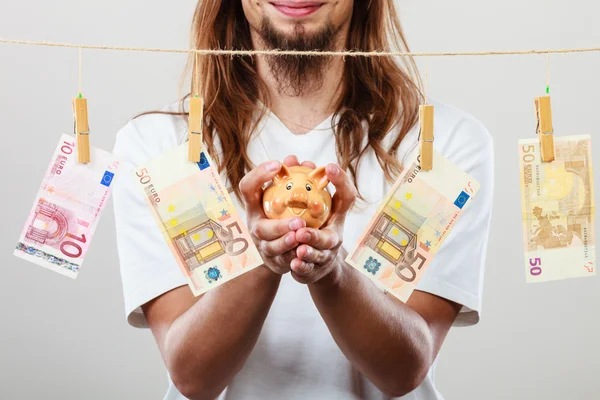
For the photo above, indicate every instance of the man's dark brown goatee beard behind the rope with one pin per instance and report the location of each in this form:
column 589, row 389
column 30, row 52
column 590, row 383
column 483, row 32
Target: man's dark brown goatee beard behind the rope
column 297, row 75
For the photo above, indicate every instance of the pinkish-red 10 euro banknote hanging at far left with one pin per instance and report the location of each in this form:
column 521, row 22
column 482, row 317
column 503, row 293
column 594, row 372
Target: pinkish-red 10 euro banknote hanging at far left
column 65, row 213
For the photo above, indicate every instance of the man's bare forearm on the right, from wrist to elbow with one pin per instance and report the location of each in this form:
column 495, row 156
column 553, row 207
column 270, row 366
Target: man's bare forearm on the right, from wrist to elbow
column 385, row 340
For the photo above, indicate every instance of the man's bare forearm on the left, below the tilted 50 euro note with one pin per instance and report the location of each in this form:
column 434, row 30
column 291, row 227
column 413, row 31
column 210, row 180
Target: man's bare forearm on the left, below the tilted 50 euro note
column 210, row 342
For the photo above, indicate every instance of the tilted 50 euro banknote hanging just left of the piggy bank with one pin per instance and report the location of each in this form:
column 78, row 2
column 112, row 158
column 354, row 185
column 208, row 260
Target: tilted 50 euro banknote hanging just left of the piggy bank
column 197, row 218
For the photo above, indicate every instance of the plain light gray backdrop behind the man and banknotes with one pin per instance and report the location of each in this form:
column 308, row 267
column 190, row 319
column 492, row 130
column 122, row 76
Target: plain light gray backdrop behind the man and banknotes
column 64, row 339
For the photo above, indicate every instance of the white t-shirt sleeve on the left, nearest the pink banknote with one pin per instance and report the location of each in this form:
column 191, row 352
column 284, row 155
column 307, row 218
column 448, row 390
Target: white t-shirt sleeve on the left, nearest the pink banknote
column 148, row 268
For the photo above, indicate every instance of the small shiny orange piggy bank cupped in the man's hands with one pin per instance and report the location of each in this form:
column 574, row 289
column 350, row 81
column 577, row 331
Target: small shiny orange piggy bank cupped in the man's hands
column 299, row 192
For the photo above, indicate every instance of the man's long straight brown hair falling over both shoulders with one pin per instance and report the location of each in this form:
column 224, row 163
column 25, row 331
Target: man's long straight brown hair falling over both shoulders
column 381, row 91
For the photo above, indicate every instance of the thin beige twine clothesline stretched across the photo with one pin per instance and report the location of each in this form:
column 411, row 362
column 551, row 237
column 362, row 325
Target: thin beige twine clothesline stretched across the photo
column 304, row 53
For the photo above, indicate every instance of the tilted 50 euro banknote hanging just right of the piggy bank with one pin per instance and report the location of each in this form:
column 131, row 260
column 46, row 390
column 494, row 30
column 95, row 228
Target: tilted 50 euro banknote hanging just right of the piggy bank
column 411, row 225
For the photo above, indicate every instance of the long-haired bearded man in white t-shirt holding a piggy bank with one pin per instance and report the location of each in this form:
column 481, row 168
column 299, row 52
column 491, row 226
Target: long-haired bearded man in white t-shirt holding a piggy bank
column 304, row 325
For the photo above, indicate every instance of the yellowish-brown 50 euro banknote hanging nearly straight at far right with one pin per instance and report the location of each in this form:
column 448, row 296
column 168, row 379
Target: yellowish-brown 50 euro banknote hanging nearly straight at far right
column 558, row 209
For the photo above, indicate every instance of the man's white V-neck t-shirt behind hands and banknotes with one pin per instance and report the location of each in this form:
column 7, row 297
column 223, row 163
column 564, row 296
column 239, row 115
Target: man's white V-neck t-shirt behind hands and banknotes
column 295, row 356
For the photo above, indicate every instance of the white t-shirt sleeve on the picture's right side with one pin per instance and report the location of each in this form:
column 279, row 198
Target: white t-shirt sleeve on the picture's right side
column 456, row 272
